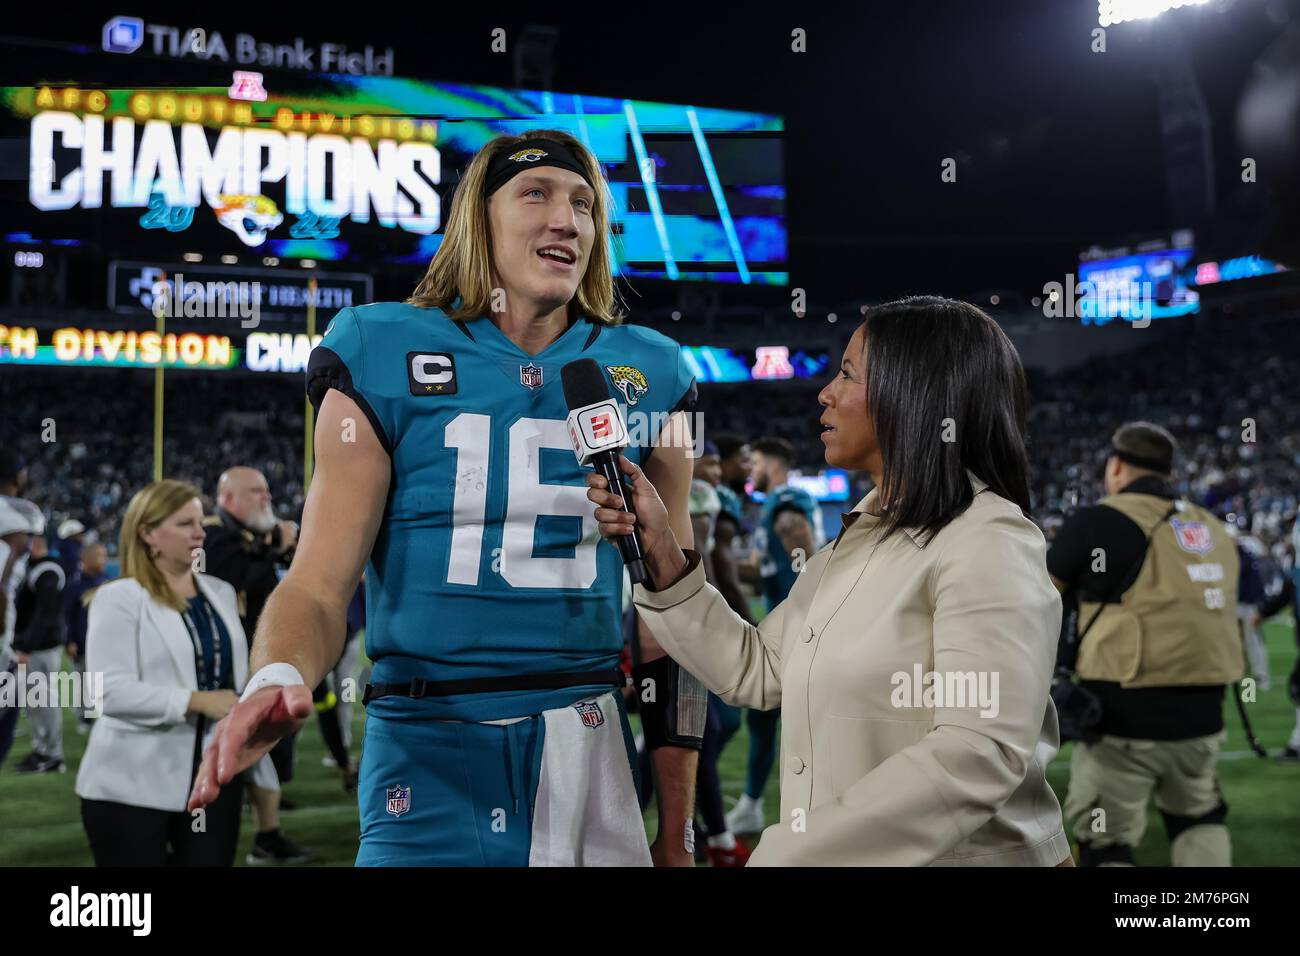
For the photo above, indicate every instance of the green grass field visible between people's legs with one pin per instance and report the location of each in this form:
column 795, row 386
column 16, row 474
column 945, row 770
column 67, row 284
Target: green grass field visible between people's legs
column 41, row 823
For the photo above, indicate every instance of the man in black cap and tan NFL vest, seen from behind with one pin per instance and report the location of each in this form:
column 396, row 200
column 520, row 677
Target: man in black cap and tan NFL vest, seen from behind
column 1156, row 579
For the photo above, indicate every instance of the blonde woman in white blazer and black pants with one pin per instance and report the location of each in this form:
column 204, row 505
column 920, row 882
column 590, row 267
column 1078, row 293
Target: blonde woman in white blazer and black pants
column 175, row 657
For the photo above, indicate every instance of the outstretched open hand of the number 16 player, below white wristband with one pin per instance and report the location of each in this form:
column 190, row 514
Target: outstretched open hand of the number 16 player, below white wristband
column 246, row 736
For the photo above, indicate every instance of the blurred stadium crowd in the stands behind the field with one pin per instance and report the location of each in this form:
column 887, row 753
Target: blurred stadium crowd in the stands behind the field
column 1225, row 393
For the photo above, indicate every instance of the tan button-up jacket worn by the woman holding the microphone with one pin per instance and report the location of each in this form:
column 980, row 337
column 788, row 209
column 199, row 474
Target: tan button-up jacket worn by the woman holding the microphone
column 872, row 773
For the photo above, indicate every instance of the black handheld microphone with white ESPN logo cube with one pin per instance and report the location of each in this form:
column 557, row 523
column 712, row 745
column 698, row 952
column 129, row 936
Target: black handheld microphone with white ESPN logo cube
column 597, row 434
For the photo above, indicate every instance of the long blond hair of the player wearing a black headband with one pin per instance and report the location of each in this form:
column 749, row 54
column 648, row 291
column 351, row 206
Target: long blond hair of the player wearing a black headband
column 462, row 267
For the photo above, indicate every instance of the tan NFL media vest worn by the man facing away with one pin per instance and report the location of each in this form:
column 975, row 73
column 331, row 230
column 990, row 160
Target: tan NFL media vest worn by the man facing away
column 1177, row 625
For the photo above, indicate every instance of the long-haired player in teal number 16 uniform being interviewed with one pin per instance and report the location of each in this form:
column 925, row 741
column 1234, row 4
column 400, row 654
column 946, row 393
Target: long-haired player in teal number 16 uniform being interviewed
column 496, row 726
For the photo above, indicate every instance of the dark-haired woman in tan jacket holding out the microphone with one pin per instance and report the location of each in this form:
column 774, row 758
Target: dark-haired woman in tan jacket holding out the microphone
column 913, row 657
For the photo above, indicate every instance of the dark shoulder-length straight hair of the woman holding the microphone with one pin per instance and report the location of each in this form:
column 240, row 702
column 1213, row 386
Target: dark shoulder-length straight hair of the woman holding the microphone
column 947, row 393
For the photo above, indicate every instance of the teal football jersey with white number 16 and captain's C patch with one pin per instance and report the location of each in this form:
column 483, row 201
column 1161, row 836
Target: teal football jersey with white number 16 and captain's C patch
column 489, row 563
